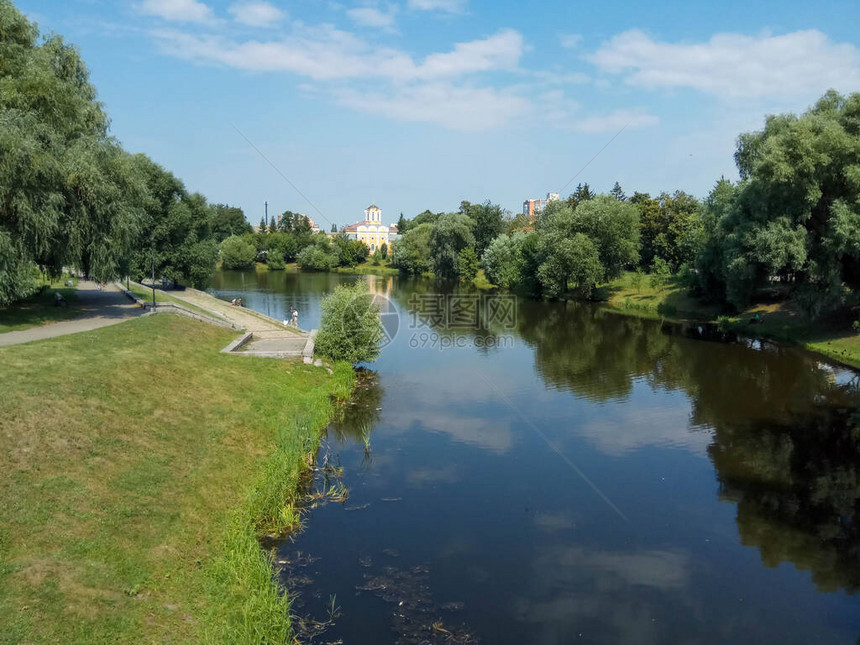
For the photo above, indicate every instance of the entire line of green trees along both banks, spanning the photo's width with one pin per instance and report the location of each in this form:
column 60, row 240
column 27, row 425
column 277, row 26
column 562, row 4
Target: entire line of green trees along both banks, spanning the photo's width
column 71, row 196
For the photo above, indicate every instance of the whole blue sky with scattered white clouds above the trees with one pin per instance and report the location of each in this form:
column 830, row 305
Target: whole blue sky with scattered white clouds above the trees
column 416, row 104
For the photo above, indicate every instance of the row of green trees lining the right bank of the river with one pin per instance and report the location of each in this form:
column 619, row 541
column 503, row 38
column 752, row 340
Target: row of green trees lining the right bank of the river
column 791, row 223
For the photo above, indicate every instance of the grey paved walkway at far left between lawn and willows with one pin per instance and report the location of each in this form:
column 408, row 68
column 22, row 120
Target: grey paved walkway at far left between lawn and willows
column 98, row 309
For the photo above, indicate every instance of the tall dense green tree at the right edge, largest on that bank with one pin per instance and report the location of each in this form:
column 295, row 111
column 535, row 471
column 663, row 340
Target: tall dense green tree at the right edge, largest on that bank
column 795, row 215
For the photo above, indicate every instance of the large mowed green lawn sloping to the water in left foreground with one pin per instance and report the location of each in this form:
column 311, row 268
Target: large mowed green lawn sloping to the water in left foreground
column 132, row 458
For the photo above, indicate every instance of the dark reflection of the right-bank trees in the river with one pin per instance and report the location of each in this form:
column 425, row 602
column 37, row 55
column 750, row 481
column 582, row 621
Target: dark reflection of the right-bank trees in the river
column 786, row 435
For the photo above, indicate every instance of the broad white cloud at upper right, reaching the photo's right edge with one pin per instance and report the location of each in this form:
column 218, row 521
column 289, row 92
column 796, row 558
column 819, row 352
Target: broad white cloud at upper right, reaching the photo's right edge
column 734, row 65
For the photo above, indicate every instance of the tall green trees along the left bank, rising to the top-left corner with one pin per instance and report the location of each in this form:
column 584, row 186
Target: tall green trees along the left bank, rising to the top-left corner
column 70, row 196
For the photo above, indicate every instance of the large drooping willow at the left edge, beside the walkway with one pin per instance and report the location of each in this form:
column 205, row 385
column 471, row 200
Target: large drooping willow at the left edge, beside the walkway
column 69, row 195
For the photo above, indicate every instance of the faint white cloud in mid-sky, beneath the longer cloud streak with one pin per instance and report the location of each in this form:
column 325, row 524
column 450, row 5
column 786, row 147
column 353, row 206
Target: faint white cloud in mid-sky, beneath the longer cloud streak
column 457, row 108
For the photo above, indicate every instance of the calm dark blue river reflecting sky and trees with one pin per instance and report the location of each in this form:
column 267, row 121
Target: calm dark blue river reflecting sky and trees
column 534, row 472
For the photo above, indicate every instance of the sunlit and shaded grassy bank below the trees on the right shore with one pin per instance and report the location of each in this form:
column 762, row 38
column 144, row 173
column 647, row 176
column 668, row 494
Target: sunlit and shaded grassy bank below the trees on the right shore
column 832, row 336
